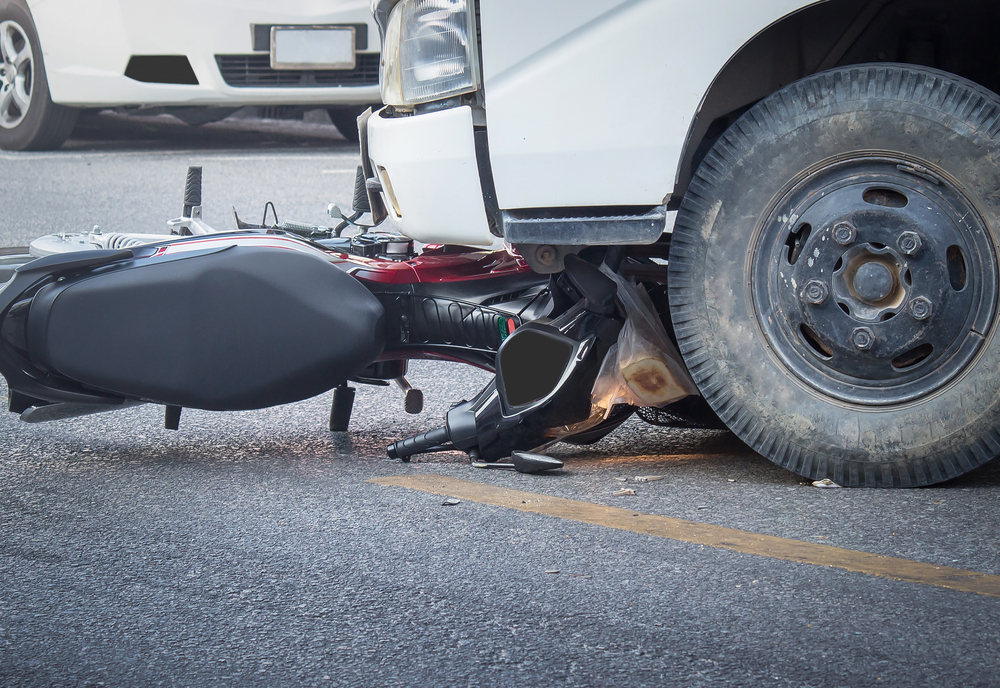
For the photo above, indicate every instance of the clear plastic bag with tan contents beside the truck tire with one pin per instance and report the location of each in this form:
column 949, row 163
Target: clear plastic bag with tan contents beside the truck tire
column 643, row 368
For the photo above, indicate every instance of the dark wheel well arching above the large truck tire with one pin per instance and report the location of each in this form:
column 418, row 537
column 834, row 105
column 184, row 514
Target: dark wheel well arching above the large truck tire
column 951, row 35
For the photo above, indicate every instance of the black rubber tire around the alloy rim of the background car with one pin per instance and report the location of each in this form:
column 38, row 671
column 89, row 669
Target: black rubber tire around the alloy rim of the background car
column 45, row 126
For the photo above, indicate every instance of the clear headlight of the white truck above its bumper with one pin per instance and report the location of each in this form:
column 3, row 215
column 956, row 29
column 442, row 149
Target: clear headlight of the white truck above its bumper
column 430, row 51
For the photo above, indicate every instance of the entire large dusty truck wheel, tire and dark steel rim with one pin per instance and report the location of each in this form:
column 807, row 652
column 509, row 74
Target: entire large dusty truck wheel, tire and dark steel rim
column 833, row 276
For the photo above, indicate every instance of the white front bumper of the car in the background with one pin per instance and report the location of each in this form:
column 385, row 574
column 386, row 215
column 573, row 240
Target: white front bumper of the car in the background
column 87, row 47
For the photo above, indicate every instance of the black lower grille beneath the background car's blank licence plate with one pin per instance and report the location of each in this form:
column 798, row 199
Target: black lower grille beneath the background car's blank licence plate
column 255, row 71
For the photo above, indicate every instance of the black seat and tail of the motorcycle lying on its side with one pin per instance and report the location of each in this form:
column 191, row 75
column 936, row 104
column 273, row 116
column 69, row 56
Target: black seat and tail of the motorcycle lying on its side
column 224, row 327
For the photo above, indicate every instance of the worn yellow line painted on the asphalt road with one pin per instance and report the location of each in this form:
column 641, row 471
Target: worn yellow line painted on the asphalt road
column 704, row 534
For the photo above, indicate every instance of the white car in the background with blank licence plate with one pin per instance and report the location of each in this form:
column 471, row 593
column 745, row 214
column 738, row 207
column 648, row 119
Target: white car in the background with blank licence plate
column 197, row 59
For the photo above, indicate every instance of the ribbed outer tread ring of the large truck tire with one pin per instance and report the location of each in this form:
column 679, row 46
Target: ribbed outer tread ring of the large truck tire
column 951, row 95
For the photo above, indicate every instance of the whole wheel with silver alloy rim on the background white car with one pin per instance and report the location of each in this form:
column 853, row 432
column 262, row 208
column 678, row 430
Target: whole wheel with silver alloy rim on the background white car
column 29, row 120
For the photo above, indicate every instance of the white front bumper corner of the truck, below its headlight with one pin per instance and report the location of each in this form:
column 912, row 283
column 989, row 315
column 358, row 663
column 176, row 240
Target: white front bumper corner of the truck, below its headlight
column 427, row 167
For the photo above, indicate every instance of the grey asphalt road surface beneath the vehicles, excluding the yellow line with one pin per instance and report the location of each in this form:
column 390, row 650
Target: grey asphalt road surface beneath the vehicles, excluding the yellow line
column 251, row 549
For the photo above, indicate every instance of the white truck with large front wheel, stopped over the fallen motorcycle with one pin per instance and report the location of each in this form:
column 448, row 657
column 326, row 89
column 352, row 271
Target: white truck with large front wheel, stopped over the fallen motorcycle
column 821, row 177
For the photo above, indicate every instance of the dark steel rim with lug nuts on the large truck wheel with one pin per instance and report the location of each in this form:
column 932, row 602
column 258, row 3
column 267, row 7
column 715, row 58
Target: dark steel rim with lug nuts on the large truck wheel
column 874, row 279
